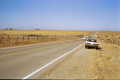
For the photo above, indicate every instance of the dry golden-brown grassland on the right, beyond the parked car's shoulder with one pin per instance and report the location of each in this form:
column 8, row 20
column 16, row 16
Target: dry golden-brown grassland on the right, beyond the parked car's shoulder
column 107, row 61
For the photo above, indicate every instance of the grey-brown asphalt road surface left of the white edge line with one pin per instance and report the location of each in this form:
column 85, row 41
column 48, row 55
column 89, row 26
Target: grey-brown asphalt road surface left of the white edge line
column 15, row 63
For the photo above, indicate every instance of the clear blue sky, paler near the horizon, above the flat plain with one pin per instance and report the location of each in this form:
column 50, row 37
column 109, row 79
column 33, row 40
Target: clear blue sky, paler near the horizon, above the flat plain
column 60, row 14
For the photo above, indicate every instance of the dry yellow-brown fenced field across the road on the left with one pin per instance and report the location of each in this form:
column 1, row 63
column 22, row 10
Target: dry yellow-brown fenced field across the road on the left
column 9, row 38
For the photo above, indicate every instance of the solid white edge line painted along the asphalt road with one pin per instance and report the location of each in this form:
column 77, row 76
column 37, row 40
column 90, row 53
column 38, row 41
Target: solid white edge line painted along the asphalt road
column 53, row 61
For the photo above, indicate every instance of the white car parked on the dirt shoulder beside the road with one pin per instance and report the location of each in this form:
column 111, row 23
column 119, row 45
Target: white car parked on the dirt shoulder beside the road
column 91, row 43
